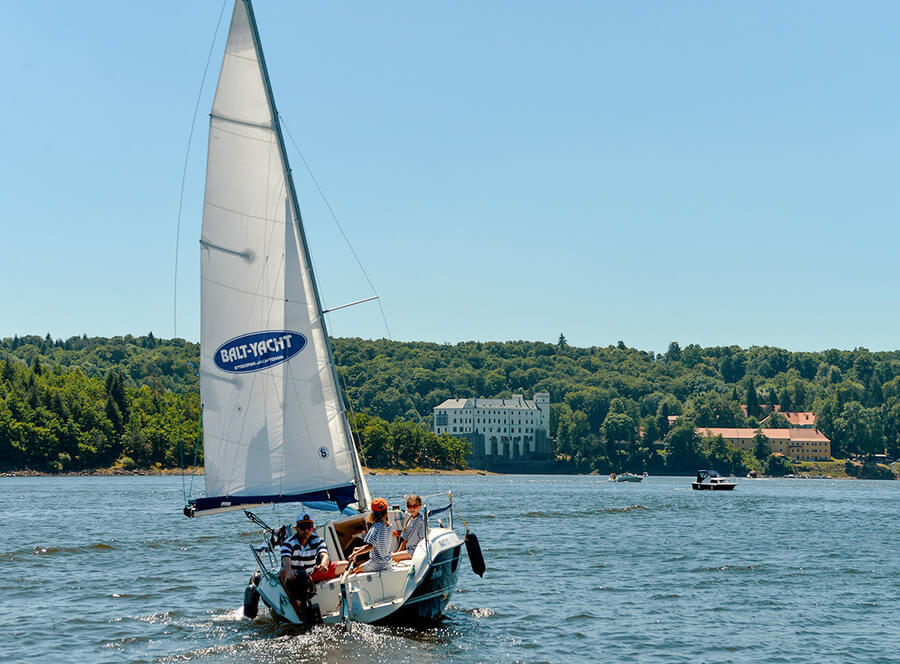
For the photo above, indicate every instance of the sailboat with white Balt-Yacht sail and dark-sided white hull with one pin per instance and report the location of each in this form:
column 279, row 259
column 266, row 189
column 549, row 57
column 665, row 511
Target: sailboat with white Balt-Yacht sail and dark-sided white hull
column 275, row 429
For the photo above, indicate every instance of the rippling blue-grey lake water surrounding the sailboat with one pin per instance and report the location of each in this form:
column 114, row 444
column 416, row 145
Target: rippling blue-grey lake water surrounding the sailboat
column 106, row 569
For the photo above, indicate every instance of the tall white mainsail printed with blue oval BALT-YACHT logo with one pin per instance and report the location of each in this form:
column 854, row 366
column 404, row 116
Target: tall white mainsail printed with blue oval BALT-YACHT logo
column 274, row 427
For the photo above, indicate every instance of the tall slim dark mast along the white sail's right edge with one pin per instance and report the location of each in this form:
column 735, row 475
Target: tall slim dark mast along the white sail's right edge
column 363, row 493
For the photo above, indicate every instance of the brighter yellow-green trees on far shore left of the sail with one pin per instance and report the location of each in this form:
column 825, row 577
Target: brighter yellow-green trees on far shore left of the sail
column 57, row 419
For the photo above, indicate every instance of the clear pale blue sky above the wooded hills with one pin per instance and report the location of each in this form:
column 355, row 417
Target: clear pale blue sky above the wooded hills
column 707, row 172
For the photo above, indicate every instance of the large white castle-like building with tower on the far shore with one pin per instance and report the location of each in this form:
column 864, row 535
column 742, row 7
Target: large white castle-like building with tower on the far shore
column 510, row 428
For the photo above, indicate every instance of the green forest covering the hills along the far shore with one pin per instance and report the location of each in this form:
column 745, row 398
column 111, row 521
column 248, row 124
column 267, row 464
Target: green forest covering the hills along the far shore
column 82, row 403
